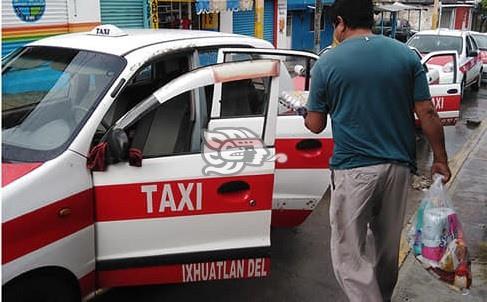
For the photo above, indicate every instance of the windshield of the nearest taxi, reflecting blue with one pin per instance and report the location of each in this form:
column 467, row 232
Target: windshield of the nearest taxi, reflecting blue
column 47, row 95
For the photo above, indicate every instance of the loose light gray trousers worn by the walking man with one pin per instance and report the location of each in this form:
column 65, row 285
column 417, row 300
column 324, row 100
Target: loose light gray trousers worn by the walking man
column 366, row 215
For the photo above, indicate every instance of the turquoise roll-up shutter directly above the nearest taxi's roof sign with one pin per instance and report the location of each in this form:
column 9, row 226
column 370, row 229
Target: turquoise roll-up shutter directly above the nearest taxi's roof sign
column 122, row 13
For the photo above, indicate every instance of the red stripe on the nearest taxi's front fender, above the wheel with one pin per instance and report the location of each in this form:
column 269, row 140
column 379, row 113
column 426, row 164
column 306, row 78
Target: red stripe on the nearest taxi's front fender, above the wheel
column 46, row 225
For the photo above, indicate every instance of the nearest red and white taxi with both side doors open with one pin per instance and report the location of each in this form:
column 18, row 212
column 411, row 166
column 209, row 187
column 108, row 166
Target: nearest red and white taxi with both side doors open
column 104, row 180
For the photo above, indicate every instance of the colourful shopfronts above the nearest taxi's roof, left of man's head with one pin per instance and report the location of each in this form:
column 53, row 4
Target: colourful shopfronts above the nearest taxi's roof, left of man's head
column 284, row 23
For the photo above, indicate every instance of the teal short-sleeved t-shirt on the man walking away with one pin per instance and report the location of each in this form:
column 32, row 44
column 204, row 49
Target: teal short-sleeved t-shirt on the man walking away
column 368, row 85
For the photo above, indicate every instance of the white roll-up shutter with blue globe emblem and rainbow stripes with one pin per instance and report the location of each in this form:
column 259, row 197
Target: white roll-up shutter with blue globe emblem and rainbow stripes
column 33, row 21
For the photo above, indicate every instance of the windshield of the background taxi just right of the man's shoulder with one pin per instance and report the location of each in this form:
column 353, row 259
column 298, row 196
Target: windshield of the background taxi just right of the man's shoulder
column 429, row 43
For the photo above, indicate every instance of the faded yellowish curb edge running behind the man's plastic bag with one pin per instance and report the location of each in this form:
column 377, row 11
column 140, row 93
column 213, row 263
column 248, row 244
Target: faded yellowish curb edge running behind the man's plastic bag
column 455, row 163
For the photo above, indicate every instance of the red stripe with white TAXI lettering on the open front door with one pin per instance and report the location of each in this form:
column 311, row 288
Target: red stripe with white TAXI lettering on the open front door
column 184, row 197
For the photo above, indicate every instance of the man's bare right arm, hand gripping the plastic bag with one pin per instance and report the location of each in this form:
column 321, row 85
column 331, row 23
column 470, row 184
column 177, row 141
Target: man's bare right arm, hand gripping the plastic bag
column 433, row 130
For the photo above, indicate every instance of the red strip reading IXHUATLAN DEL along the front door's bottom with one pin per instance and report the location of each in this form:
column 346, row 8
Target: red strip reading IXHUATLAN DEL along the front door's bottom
column 184, row 273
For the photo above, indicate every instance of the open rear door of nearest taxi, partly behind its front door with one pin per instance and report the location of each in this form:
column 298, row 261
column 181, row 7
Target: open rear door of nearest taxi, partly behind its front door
column 302, row 165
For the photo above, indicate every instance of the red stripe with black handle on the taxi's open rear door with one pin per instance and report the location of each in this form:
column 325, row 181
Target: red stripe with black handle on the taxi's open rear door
column 304, row 153
